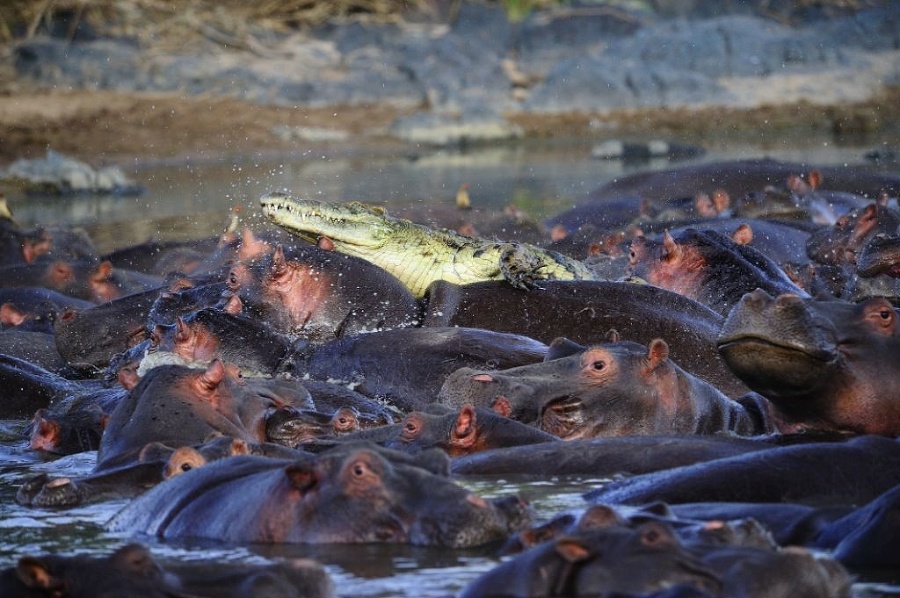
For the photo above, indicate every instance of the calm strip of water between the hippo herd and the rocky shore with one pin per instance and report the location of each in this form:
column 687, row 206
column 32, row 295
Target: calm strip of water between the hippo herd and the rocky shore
column 194, row 199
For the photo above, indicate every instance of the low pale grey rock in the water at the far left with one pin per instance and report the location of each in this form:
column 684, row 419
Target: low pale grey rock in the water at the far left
column 59, row 174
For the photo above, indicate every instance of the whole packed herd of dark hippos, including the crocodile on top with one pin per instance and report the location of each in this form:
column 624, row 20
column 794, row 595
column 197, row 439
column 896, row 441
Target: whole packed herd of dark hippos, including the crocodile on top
column 718, row 339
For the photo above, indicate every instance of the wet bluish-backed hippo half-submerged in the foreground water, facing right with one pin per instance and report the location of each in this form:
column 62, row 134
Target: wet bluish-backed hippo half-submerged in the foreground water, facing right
column 354, row 493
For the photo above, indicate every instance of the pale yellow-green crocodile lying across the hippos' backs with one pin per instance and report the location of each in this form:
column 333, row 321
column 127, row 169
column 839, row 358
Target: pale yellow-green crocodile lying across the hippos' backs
column 415, row 254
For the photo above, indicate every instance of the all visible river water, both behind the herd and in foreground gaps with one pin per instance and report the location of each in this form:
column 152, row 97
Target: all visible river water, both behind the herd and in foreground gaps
column 187, row 200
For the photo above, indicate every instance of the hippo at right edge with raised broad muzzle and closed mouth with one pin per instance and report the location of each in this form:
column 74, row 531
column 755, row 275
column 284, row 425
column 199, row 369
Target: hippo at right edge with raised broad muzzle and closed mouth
column 821, row 364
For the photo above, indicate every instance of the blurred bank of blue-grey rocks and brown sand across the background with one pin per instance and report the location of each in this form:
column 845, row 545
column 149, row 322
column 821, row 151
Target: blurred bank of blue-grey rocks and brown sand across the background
column 589, row 68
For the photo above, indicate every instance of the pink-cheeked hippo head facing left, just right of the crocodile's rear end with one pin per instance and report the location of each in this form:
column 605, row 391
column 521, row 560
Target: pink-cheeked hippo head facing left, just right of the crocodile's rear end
column 707, row 267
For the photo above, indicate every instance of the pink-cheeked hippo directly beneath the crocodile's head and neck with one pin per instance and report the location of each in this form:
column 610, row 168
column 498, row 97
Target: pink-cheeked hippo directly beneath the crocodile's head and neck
column 321, row 295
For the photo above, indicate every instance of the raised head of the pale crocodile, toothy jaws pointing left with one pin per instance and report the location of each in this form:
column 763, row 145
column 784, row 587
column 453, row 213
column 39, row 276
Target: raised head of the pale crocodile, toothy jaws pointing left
column 349, row 226
